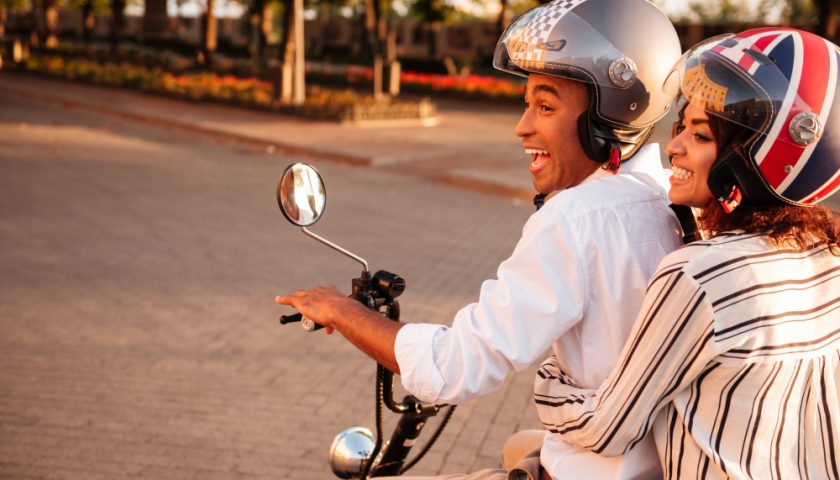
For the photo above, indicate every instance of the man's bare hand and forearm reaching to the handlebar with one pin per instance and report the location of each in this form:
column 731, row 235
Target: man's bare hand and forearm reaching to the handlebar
column 367, row 329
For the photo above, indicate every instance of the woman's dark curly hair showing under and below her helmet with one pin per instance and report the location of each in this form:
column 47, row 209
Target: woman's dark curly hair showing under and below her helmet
column 784, row 225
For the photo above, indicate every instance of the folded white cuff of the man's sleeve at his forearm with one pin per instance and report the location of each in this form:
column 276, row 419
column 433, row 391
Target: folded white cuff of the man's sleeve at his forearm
column 414, row 349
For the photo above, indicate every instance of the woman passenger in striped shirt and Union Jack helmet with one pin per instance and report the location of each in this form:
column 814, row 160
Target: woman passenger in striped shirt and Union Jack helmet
column 734, row 361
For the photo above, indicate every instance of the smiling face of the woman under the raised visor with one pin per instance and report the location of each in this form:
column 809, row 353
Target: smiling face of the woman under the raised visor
column 692, row 150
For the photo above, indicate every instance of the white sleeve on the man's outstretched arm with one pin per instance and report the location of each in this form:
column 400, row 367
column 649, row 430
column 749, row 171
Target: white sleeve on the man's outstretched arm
column 537, row 296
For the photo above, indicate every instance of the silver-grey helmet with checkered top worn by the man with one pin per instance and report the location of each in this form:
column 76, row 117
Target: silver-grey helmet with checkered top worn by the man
column 624, row 49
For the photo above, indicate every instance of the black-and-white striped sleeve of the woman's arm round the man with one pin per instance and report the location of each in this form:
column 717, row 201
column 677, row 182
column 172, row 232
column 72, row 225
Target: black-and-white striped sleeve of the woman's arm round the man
column 670, row 345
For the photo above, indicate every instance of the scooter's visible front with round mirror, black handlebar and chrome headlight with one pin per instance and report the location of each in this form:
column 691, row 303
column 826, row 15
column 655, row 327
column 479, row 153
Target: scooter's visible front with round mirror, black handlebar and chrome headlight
column 356, row 452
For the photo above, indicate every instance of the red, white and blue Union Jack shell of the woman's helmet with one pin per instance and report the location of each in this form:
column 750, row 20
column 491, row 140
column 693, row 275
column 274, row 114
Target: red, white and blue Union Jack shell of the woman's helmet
column 802, row 173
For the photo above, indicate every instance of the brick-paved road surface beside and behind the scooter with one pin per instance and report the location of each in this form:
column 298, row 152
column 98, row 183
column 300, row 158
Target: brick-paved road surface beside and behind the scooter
column 137, row 274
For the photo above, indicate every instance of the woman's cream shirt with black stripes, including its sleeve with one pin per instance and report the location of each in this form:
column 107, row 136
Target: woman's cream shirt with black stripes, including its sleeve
column 734, row 362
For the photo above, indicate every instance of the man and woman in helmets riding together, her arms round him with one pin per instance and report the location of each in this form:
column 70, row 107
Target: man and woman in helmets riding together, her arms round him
column 720, row 358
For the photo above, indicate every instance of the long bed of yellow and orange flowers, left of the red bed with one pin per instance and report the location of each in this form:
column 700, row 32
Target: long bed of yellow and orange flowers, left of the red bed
column 321, row 104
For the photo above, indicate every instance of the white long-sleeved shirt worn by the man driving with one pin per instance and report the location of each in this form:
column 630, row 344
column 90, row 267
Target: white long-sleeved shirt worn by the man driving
column 574, row 282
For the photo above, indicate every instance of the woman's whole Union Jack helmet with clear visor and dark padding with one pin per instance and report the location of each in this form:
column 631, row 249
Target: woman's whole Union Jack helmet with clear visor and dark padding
column 781, row 85
